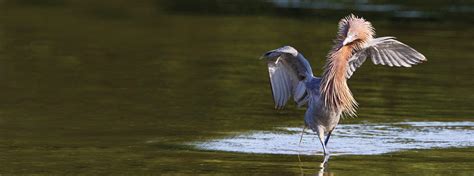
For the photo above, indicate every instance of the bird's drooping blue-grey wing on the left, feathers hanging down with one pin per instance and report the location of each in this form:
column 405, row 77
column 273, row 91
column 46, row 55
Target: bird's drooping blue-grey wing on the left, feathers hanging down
column 287, row 70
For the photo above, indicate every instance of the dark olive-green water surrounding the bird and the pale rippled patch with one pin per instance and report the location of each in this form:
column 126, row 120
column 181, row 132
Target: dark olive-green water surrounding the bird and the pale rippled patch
column 117, row 88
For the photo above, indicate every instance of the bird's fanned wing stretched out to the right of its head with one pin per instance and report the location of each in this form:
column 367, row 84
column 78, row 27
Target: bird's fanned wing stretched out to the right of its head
column 385, row 51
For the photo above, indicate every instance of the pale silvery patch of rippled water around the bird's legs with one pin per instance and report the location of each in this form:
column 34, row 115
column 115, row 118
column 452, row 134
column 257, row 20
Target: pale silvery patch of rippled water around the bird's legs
column 350, row 139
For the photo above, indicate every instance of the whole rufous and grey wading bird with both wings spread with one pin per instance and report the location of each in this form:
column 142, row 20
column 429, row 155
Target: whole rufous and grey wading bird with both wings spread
column 328, row 97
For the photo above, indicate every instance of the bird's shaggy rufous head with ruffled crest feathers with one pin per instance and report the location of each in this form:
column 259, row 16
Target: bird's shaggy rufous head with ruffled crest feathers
column 355, row 31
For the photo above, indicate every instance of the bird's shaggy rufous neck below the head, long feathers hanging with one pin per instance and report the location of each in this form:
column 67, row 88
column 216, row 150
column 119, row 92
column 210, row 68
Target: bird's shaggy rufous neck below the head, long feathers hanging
column 335, row 93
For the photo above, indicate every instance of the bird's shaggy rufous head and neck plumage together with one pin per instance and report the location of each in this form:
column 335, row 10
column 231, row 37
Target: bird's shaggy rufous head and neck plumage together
column 353, row 33
